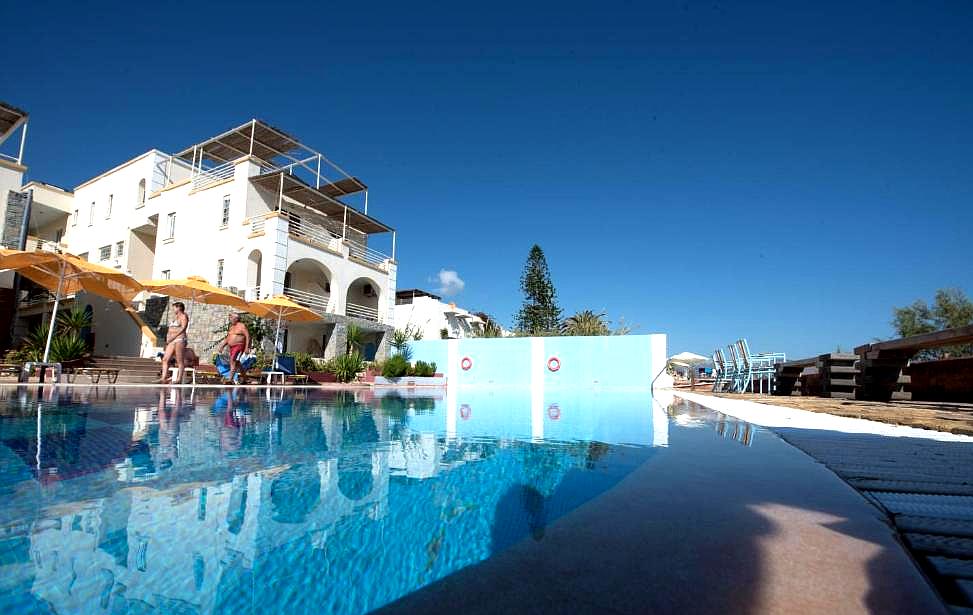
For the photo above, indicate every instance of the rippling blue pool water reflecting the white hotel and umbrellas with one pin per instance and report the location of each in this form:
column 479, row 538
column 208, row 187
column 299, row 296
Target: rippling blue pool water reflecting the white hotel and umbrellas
column 137, row 501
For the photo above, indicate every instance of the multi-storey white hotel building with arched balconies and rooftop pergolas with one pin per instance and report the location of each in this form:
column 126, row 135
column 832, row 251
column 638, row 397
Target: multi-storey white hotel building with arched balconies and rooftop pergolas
column 252, row 210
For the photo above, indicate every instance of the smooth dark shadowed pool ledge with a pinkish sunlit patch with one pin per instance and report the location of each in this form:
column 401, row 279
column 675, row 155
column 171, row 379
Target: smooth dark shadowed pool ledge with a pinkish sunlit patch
column 701, row 528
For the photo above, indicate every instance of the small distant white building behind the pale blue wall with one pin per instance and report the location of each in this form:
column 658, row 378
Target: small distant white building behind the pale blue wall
column 427, row 313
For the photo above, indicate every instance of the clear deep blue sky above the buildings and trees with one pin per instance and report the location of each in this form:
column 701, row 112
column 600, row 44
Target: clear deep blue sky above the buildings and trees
column 700, row 168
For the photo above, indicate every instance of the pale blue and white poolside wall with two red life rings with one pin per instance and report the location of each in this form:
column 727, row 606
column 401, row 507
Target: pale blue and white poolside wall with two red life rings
column 552, row 362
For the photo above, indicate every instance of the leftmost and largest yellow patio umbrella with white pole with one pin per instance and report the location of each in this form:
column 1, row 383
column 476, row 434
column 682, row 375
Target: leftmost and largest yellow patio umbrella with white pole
column 68, row 274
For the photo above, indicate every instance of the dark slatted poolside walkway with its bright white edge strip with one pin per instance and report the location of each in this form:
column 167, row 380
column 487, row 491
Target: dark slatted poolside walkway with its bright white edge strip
column 921, row 479
